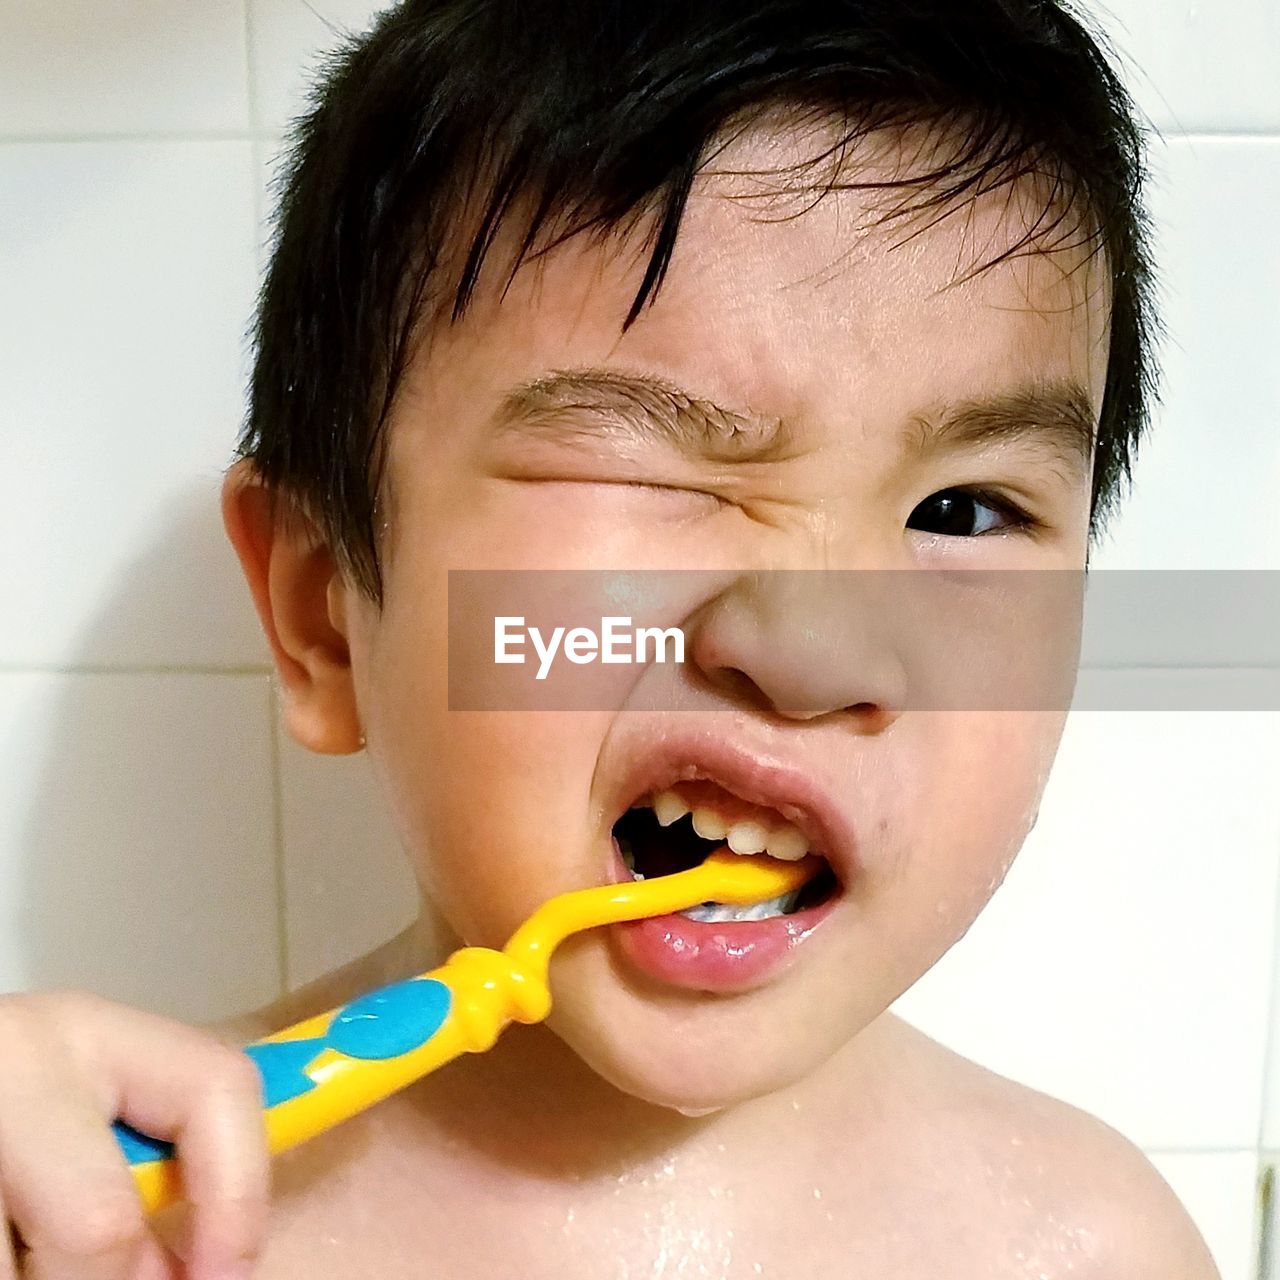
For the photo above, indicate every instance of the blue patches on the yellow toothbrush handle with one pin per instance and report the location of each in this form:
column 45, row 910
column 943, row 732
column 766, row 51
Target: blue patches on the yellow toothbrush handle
column 380, row 1026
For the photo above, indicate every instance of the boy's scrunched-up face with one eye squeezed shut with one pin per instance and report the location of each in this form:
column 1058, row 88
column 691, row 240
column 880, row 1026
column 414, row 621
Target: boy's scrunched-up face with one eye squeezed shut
column 781, row 314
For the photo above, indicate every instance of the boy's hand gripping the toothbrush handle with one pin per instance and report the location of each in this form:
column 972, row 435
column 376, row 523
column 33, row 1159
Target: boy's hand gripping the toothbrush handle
column 71, row 1063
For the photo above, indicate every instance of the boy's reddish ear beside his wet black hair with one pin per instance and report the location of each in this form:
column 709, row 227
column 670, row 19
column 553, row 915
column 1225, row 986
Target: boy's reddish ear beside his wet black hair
column 300, row 598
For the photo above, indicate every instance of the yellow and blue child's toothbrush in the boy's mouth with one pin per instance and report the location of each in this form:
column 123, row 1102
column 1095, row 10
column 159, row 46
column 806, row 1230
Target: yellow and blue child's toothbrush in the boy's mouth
column 328, row 1068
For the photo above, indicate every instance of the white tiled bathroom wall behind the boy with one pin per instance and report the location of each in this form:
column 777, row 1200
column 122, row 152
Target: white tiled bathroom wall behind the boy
column 1128, row 962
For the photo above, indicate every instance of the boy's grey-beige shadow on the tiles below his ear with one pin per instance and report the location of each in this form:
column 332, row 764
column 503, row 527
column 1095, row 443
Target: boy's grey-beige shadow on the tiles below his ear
column 152, row 870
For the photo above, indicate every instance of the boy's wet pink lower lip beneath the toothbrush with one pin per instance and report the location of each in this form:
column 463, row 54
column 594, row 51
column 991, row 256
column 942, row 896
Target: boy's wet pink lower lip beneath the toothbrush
column 724, row 957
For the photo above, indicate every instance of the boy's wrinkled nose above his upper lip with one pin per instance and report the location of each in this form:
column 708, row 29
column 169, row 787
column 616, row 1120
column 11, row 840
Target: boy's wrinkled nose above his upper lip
column 806, row 644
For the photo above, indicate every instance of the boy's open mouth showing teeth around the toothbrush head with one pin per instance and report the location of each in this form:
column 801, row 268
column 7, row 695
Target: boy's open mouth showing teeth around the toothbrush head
column 679, row 828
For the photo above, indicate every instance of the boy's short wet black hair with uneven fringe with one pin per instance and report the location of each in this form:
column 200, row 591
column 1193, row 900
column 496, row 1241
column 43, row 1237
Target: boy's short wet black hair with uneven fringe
column 452, row 120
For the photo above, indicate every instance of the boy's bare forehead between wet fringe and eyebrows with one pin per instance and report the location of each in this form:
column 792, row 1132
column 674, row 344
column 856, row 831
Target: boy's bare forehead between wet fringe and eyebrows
column 797, row 304
